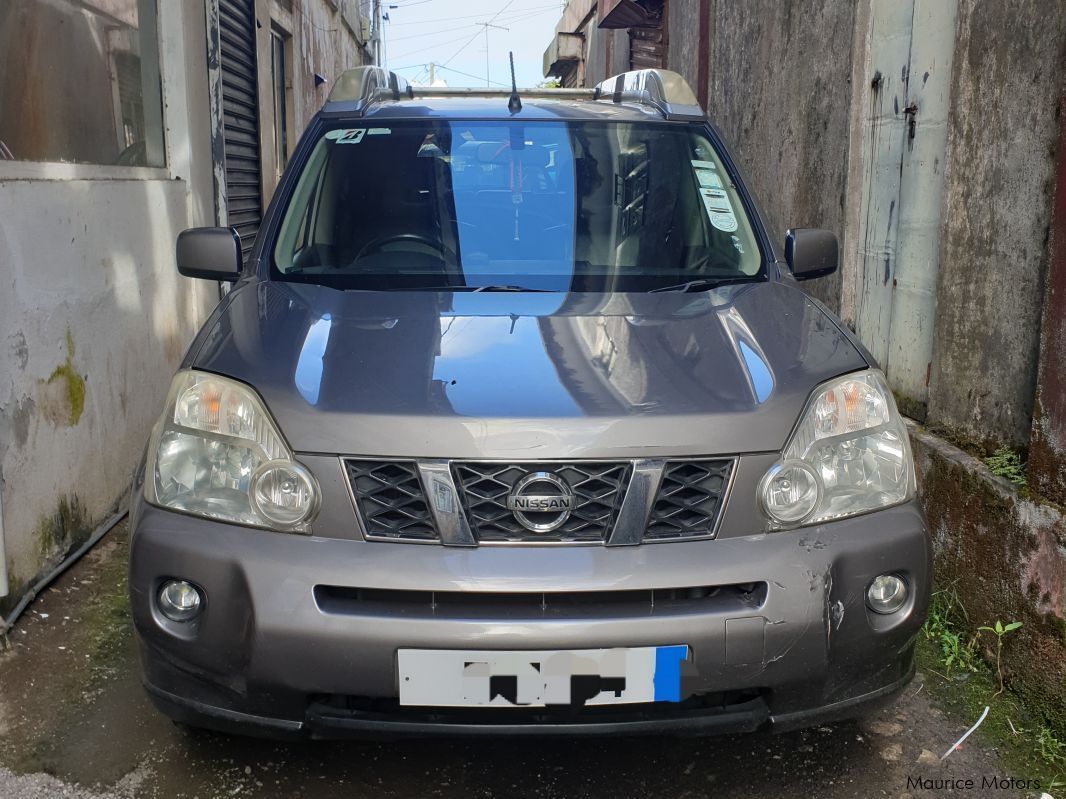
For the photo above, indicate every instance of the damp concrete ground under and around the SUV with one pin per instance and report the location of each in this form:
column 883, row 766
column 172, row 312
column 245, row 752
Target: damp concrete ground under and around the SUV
column 75, row 723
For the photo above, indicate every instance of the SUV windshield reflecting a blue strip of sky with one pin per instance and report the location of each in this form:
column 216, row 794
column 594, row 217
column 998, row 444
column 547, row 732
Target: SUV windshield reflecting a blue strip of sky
column 534, row 206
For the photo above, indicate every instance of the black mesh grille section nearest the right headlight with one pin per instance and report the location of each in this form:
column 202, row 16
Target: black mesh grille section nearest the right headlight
column 689, row 501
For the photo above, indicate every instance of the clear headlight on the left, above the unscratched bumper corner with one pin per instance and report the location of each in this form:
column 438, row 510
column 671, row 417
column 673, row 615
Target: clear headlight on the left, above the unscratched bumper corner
column 217, row 453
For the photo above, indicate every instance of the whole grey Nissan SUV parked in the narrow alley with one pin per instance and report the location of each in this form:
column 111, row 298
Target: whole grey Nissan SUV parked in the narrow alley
column 518, row 421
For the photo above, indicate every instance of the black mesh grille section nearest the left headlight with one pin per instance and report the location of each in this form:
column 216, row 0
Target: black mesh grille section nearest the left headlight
column 391, row 500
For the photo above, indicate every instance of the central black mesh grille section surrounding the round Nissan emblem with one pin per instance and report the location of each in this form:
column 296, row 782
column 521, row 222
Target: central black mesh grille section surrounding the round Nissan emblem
column 599, row 491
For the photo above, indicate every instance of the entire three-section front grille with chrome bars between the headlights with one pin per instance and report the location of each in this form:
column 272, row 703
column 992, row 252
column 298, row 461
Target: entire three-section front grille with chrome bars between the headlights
column 391, row 500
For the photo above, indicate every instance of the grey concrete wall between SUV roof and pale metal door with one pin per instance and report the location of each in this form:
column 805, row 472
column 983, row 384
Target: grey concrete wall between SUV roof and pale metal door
column 781, row 92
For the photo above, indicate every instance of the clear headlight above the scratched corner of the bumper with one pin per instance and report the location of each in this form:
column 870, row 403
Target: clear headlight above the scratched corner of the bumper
column 849, row 454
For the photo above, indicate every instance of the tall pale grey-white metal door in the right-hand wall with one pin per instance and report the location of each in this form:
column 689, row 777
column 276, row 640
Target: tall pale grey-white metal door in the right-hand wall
column 912, row 43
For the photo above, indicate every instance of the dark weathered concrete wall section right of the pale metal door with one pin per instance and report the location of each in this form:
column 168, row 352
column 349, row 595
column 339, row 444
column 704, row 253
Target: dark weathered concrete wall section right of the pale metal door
column 1008, row 78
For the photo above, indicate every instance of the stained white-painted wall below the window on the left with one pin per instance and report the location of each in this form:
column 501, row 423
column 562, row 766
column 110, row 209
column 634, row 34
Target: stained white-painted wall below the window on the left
column 94, row 317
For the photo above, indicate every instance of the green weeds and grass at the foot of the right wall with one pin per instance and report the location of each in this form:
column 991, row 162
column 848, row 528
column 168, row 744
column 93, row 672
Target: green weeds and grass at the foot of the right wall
column 961, row 680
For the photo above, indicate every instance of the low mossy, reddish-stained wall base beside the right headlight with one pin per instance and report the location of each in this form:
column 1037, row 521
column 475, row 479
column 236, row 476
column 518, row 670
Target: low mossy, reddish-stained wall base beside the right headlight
column 1006, row 558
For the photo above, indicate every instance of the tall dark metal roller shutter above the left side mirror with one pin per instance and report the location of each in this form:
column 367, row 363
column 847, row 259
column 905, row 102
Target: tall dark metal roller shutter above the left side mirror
column 237, row 27
